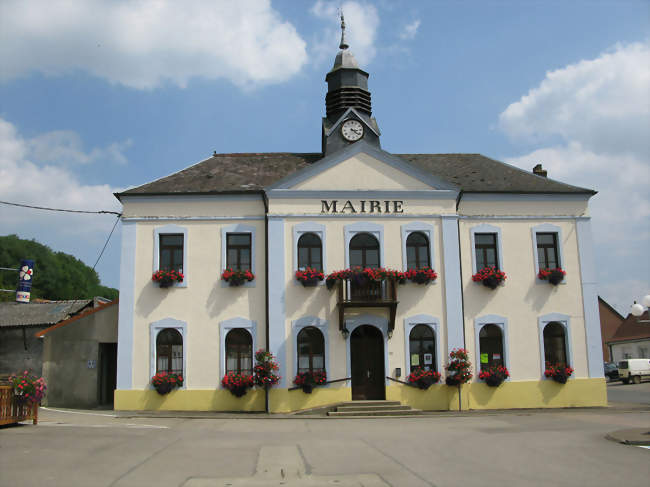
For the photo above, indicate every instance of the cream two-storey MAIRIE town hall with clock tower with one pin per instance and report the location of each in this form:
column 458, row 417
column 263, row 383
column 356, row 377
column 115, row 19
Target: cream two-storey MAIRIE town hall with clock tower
column 483, row 237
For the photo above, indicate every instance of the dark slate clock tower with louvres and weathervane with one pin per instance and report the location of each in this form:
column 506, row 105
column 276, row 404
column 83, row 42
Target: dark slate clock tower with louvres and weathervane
column 348, row 108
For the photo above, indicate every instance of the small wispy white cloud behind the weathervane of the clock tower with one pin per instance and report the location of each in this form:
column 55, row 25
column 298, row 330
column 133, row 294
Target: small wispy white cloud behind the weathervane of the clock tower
column 362, row 23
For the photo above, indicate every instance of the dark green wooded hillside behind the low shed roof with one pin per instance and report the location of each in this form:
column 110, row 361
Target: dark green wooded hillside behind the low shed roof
column 57, row 275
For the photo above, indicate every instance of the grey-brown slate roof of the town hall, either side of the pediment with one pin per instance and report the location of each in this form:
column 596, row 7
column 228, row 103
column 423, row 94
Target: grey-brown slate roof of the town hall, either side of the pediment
column 245, row 173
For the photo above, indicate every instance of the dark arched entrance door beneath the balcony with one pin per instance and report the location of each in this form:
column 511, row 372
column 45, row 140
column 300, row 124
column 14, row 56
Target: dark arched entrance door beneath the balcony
column 367, row 363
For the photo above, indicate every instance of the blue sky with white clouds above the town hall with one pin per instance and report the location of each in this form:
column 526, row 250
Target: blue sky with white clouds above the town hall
column 97, row 96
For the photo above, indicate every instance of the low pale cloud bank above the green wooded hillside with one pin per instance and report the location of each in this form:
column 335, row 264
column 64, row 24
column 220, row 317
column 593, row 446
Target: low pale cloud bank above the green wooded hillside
column 27, row 180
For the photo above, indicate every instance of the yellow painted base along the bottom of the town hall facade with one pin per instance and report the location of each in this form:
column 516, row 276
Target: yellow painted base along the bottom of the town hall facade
column 439, row 397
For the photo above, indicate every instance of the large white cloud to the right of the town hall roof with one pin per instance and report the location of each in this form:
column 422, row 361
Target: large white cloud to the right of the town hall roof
column 600, row 111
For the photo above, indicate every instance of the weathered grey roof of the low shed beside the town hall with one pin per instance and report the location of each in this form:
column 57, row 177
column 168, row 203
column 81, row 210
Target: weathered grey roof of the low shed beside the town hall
column 34, row 314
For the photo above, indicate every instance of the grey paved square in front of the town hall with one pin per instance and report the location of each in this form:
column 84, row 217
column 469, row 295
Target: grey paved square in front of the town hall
column 564, row 447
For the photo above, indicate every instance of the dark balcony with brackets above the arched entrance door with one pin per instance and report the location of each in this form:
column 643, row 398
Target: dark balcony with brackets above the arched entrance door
column 367, row 294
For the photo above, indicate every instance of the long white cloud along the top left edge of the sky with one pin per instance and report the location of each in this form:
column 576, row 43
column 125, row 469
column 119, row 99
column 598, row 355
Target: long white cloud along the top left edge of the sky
column 143, row 44
